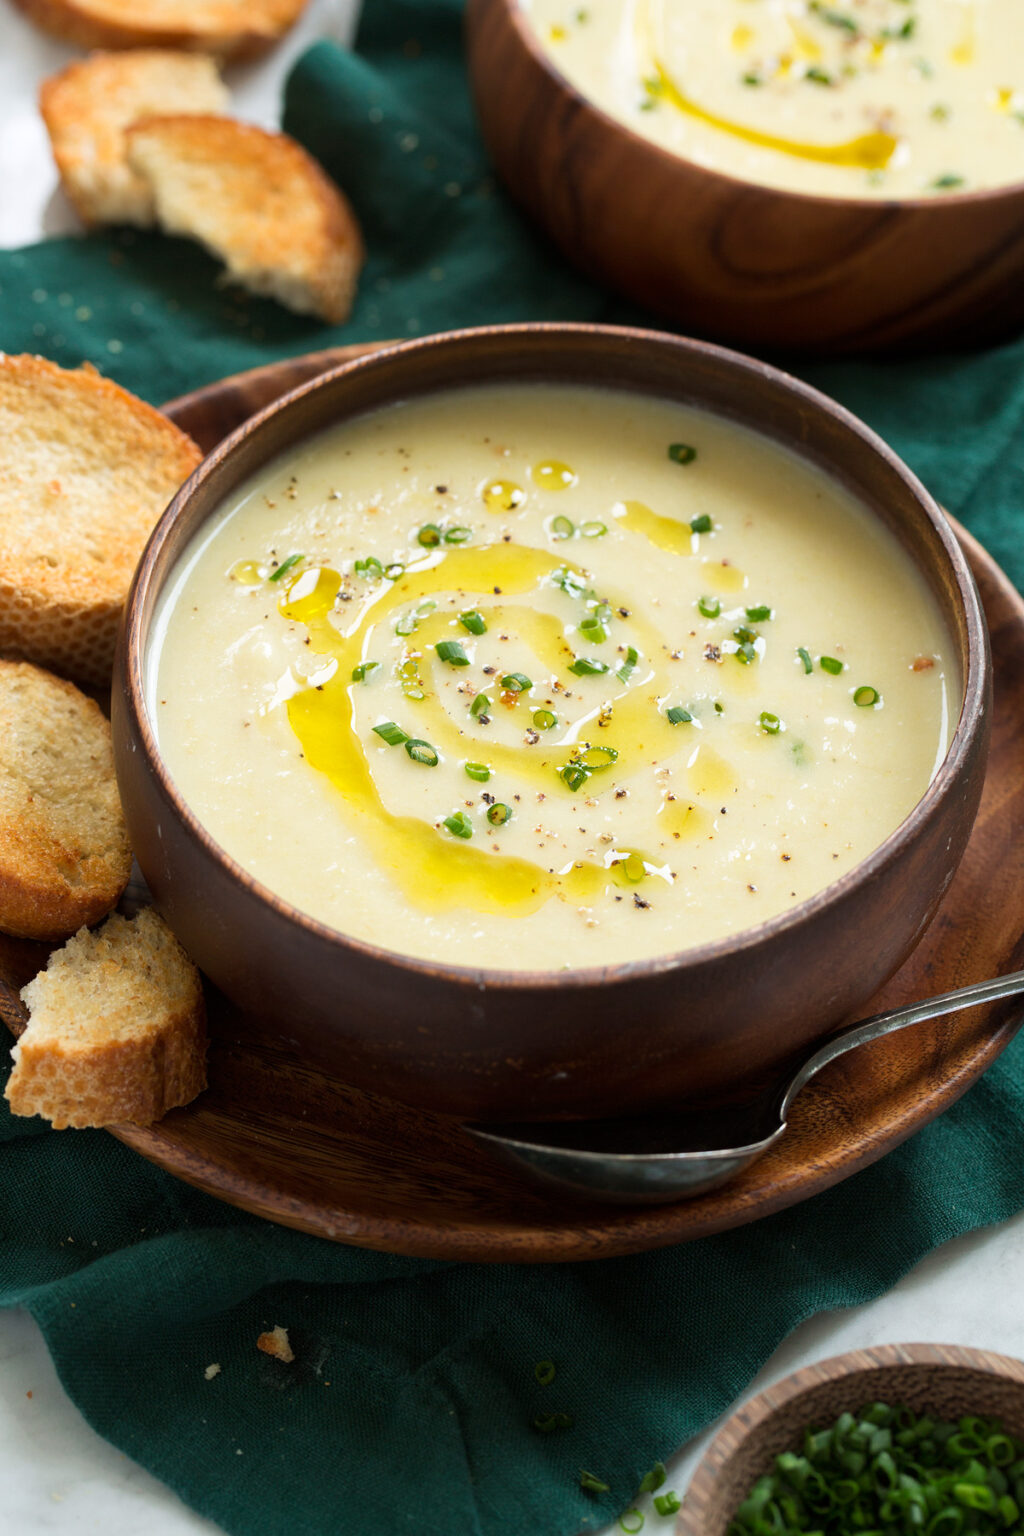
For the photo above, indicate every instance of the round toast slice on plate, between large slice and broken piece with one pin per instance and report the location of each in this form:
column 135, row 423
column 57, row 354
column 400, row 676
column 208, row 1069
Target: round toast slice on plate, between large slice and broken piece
column 64, row 846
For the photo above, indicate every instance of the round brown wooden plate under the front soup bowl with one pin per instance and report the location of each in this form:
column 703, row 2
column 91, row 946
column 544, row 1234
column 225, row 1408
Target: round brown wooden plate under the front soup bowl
column 279, row 1139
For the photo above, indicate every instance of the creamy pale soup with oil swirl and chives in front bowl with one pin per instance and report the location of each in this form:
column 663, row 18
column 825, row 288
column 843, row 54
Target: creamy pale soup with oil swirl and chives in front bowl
column 607, row 621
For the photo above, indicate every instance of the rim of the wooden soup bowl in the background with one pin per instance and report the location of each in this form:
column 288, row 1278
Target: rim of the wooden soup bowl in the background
column 957, row 200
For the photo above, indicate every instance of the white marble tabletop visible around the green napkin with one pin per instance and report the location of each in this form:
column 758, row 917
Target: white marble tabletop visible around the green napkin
column 56, row 1474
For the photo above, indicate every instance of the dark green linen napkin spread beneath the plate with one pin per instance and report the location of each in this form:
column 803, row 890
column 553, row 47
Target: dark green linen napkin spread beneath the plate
column 412, row 1400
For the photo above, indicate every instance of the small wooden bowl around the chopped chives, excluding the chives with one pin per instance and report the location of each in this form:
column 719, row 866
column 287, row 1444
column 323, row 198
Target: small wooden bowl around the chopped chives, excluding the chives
column 943, row 1382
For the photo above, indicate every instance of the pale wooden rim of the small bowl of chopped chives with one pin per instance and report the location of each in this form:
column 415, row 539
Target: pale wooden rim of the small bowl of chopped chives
column 747, row 1418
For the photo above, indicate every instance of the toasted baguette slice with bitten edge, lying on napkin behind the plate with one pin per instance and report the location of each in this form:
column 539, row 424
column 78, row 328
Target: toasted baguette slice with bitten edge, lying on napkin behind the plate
column 259, row 202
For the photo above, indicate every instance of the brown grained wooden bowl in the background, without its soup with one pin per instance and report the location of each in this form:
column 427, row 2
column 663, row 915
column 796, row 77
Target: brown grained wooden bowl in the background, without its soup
column 732, row 259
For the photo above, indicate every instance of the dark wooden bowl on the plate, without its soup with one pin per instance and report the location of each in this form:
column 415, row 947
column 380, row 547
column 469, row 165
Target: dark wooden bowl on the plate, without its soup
column 592, row 1042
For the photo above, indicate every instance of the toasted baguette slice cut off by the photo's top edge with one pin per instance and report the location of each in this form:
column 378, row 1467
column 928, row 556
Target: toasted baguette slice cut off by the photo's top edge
column 208, row 27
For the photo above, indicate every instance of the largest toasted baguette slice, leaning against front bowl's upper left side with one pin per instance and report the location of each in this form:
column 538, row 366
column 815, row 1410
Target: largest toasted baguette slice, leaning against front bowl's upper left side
column 85, row 472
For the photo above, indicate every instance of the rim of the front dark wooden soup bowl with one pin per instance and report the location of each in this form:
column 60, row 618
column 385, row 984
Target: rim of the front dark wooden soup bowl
column 131, row 667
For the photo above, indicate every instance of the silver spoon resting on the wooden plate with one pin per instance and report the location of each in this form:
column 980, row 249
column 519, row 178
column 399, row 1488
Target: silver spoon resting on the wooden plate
column 661, row 1157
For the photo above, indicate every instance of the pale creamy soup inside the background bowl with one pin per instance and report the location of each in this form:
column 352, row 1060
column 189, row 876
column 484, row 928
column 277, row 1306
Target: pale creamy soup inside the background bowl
column 844, row 98
